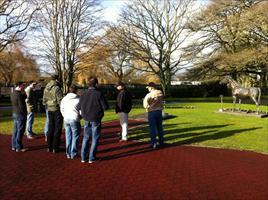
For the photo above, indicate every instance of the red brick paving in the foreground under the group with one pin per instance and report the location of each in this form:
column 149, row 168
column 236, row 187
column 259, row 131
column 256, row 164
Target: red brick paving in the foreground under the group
column 132, row 171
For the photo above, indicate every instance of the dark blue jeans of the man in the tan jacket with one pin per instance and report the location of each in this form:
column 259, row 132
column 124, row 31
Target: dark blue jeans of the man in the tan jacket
column 155, row 124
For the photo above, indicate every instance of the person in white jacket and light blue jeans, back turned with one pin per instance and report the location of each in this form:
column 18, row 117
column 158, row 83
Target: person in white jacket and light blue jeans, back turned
column 70, row 112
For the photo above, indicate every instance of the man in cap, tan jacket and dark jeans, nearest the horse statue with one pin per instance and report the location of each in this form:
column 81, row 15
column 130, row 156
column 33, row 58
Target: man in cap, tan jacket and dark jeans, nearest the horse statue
column 153, row 103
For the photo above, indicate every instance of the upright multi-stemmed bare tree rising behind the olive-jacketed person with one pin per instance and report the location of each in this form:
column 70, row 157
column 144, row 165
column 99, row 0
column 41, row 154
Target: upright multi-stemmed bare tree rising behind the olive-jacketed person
column 64, row 28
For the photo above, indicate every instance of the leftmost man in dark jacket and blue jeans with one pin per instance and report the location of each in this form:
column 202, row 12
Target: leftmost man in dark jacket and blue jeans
column 19, row 115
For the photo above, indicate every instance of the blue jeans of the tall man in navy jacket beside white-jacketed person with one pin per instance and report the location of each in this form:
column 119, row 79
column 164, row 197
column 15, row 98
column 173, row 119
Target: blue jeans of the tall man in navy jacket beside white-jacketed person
column 91, row 129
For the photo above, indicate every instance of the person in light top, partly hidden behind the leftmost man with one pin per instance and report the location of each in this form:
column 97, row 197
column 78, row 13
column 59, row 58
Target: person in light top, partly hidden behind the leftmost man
column 30, row 109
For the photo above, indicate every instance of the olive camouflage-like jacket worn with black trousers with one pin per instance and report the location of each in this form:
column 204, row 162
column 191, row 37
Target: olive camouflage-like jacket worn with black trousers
column 52, row 96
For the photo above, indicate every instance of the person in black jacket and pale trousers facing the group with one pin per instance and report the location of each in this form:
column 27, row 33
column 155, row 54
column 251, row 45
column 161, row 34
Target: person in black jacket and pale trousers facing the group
column 123, row 107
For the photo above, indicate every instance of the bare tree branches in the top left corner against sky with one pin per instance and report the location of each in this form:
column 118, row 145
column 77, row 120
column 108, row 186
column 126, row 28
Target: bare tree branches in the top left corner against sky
column 15, row 17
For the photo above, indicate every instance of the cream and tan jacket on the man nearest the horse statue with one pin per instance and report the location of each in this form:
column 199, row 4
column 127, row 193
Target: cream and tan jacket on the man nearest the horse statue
column 153, row 100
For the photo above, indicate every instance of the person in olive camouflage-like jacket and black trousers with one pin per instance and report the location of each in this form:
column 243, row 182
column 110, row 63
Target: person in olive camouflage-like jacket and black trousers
column 52, row 97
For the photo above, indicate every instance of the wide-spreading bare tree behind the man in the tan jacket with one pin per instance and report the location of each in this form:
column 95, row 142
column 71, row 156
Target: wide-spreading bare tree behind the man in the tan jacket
column 155, row 31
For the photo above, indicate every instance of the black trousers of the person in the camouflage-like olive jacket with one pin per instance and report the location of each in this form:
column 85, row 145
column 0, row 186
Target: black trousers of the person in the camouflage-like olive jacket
column 54, row 130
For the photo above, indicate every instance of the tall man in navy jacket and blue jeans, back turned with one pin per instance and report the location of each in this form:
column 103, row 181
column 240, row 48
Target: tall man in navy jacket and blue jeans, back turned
column 92, row 104
